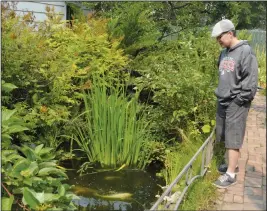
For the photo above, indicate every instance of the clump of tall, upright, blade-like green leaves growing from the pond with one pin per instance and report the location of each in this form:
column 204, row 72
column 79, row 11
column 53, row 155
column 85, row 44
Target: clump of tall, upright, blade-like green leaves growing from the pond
column 114, row 129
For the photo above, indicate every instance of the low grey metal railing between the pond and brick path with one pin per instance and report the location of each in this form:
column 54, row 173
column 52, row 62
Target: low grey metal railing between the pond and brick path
column 207, row 152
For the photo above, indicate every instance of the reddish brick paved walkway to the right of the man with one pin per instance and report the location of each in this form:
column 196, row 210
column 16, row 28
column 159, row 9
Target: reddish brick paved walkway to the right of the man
column 250, row 191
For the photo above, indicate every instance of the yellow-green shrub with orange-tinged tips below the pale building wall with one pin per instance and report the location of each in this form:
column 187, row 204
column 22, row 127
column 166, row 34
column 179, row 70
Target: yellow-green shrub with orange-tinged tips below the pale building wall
column 50, row 66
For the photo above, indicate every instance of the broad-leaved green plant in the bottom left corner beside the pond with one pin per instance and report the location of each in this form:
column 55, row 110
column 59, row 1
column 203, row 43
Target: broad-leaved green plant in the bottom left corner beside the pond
column 31, row 173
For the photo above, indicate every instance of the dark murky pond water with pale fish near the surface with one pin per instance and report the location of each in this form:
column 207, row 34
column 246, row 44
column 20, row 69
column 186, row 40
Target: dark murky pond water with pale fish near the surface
column 126, row 189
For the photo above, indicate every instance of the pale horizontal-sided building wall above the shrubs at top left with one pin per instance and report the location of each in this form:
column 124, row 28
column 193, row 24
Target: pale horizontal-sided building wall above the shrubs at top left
column 38, row 9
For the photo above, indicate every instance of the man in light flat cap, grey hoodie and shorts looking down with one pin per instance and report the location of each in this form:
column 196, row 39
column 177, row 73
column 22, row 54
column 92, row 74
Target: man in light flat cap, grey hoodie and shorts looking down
column 238, row 79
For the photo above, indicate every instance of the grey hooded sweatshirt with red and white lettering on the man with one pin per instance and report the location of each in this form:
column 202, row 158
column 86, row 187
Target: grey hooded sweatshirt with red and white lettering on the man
column 238, row 74
